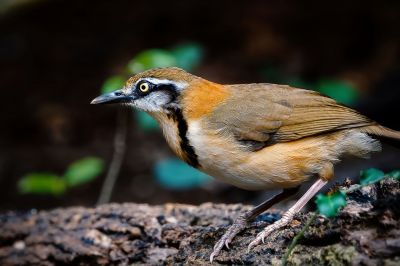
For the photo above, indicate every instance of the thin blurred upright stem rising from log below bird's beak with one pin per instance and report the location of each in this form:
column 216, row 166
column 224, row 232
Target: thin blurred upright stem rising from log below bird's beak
column 118, row 156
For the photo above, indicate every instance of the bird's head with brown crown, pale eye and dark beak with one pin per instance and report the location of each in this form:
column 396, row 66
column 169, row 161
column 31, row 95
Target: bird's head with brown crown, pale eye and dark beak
column 155, row 90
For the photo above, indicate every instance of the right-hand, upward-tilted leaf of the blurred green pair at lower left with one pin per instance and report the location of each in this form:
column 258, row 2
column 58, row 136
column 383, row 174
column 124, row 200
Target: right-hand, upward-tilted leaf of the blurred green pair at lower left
column 83, row 171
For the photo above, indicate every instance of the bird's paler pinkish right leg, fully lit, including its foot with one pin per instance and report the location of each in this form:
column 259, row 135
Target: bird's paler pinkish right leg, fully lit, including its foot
column 288, row 216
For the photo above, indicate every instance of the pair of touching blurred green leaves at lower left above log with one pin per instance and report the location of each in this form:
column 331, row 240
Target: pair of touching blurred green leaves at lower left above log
column 77, row 173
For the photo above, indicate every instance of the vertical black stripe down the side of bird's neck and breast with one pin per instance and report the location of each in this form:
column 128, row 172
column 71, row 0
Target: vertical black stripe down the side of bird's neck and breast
column 188, row 150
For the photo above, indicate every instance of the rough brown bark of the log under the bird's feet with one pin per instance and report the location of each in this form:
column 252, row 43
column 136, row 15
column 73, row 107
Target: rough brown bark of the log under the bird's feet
column 367, row 231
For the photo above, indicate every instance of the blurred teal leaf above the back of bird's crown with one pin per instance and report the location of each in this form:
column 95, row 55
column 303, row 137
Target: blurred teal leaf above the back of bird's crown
column 188, row 56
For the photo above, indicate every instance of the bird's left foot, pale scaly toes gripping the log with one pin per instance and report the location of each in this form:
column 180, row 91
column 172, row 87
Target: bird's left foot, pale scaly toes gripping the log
column 238, row 225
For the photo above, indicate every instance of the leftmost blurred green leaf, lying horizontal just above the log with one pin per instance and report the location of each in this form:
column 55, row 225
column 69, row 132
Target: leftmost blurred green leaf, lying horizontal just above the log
column 42, row 183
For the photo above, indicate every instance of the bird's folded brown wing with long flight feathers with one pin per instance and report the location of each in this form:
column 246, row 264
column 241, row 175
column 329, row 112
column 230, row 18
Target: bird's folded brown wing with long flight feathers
column 272, row 113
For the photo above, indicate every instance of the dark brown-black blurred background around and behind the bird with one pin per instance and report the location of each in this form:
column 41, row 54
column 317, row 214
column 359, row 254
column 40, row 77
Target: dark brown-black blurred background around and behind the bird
column 55, row 56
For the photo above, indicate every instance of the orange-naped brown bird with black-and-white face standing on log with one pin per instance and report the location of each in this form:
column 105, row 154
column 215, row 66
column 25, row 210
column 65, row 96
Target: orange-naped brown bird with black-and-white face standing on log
column 255, row 136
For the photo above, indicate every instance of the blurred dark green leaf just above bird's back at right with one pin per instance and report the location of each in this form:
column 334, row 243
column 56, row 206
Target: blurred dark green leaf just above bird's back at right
column 342, row 91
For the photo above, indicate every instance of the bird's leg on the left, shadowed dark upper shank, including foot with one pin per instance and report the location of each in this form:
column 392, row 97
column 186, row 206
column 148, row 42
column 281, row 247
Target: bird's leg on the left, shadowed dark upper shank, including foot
column 240, row 223
